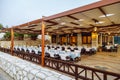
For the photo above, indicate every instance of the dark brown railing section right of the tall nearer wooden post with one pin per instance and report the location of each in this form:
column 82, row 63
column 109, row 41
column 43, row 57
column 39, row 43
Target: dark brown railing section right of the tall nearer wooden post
column 79, row 71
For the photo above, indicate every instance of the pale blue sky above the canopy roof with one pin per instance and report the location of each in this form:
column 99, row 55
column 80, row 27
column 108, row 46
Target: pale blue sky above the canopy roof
column 16, row 12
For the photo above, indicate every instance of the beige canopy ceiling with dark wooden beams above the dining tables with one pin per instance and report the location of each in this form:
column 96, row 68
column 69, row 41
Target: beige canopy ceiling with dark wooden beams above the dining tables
column 103, row 15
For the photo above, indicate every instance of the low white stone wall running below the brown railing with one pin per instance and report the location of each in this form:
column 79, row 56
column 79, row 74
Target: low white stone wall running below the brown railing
column 20, row 69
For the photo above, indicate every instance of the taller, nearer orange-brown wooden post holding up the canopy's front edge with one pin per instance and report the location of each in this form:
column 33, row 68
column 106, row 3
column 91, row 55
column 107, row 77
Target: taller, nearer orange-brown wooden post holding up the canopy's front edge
column 43, row 43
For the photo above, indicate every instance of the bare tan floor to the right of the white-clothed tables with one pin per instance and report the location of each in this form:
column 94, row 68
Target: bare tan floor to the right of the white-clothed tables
column 109, row 61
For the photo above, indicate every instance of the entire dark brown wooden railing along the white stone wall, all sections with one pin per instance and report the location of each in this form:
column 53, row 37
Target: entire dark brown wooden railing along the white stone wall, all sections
column 77, row 71
